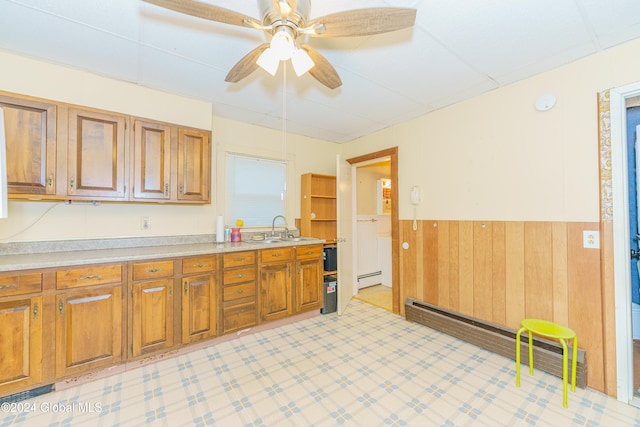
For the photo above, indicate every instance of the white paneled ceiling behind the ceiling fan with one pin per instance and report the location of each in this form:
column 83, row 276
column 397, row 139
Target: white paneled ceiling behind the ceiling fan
column 458, row 49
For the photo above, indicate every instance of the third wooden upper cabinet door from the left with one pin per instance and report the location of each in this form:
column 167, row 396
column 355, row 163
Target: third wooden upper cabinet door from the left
column 151, row 161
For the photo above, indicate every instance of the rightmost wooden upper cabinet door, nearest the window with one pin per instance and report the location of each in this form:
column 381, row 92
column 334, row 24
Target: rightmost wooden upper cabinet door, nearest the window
column 194, row 165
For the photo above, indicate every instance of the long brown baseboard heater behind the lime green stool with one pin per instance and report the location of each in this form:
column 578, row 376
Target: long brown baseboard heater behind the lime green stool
column 547, row 354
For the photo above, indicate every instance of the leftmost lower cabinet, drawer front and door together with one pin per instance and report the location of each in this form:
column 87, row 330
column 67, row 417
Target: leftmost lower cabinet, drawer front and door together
column 21, row 331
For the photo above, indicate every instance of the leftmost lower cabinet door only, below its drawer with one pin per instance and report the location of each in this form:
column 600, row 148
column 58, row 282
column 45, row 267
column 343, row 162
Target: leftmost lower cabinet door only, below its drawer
column 20, row 343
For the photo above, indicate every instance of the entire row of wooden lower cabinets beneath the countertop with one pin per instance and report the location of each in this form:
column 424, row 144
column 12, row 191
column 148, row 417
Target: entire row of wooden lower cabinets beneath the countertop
column 62, row 323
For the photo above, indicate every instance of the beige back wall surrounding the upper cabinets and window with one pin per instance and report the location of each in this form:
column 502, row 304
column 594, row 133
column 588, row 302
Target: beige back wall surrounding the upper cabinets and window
column 30, row 220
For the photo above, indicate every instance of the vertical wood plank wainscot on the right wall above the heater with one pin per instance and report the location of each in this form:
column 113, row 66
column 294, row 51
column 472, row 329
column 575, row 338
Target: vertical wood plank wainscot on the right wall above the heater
column 503, row 272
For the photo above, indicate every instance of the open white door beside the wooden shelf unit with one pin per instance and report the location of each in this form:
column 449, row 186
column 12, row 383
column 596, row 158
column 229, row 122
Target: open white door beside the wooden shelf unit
column 345, row 219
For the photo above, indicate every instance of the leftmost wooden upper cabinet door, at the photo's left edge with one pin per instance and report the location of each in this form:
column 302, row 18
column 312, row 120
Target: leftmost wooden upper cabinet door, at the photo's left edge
column 30, row 128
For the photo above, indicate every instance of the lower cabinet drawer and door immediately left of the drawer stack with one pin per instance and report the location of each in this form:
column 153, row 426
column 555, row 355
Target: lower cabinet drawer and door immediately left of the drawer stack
column 199, row 301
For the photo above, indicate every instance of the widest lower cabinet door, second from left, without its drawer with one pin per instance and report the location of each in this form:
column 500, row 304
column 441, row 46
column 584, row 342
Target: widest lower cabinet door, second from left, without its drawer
column 88, row 329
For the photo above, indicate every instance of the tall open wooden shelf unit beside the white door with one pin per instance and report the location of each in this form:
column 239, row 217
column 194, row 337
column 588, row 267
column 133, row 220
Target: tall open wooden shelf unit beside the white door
column 318, row 210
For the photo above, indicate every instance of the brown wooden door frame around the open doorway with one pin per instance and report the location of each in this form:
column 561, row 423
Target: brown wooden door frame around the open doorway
column 392, row 153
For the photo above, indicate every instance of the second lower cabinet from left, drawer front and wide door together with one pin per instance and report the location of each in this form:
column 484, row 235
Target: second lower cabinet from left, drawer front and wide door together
column 89, row 318
